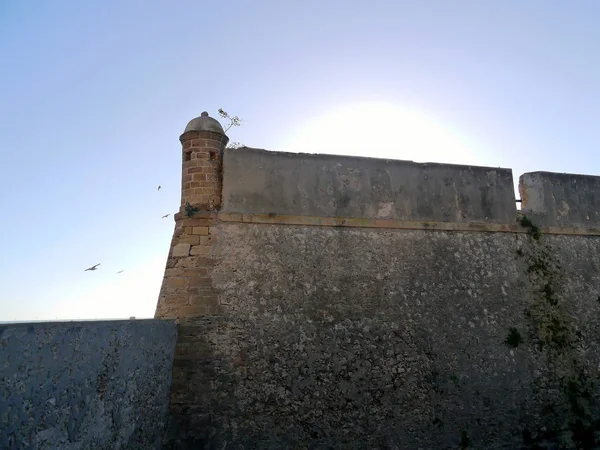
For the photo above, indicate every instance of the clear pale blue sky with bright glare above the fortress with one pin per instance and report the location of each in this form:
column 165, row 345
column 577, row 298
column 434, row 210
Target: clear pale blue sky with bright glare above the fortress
column 94, row 97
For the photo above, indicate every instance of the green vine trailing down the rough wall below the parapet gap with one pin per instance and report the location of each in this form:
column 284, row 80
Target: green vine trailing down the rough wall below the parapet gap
column 555, row 335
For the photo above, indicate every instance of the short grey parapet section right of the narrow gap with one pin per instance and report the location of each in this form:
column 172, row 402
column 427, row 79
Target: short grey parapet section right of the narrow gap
column 557, row 199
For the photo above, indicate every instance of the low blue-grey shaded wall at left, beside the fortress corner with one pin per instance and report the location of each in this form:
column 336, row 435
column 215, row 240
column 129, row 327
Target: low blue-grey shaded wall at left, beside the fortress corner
column 85, row 385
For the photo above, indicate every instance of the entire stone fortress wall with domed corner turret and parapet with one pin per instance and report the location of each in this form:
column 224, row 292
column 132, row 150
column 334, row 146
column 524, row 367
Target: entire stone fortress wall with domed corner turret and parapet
column 341, row 302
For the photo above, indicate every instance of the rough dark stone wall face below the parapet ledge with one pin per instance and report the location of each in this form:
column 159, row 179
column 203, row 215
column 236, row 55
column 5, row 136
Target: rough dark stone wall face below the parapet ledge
column 355, row 338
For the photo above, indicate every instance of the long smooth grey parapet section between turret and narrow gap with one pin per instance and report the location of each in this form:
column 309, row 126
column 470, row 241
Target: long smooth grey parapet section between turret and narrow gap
column 258, row 181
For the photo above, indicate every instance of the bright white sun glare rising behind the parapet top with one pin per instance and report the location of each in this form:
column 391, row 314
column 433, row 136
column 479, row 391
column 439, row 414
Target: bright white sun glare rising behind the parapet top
column 381, row 130
